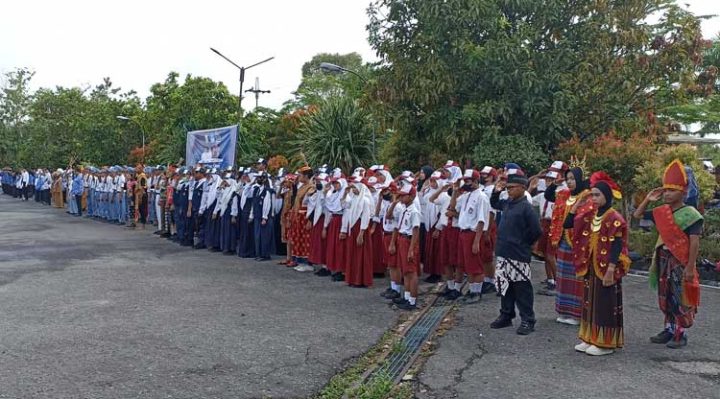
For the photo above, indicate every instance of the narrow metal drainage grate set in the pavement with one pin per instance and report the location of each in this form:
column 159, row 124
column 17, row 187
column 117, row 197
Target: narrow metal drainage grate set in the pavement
column 403, row 356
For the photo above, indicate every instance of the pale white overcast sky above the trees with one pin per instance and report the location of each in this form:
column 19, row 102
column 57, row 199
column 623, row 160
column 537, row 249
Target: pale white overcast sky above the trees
column 137, row 43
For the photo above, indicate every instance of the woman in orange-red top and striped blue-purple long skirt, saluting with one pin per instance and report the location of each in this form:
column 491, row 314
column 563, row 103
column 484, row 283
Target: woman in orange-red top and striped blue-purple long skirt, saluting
column 569, row 285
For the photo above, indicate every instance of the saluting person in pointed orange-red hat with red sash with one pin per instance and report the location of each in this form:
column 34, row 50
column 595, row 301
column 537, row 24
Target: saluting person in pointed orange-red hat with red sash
column 673, row 272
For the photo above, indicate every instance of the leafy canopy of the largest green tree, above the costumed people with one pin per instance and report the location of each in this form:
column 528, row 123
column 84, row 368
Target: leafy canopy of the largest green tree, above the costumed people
column 453, row 72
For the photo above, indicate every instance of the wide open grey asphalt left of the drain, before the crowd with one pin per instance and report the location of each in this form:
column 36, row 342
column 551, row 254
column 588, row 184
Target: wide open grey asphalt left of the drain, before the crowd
column 92, row 310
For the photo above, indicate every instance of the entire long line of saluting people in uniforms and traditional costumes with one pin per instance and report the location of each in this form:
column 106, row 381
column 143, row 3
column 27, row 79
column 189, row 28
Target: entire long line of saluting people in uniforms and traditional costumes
column 480, row 226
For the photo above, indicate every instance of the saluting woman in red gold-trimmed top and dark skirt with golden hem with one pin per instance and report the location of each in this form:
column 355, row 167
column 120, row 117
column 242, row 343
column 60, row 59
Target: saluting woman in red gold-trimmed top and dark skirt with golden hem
column 600, row 257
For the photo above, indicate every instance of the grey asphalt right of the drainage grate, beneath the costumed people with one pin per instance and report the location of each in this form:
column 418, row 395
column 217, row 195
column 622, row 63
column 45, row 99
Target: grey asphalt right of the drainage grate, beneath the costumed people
column 473, row 361
